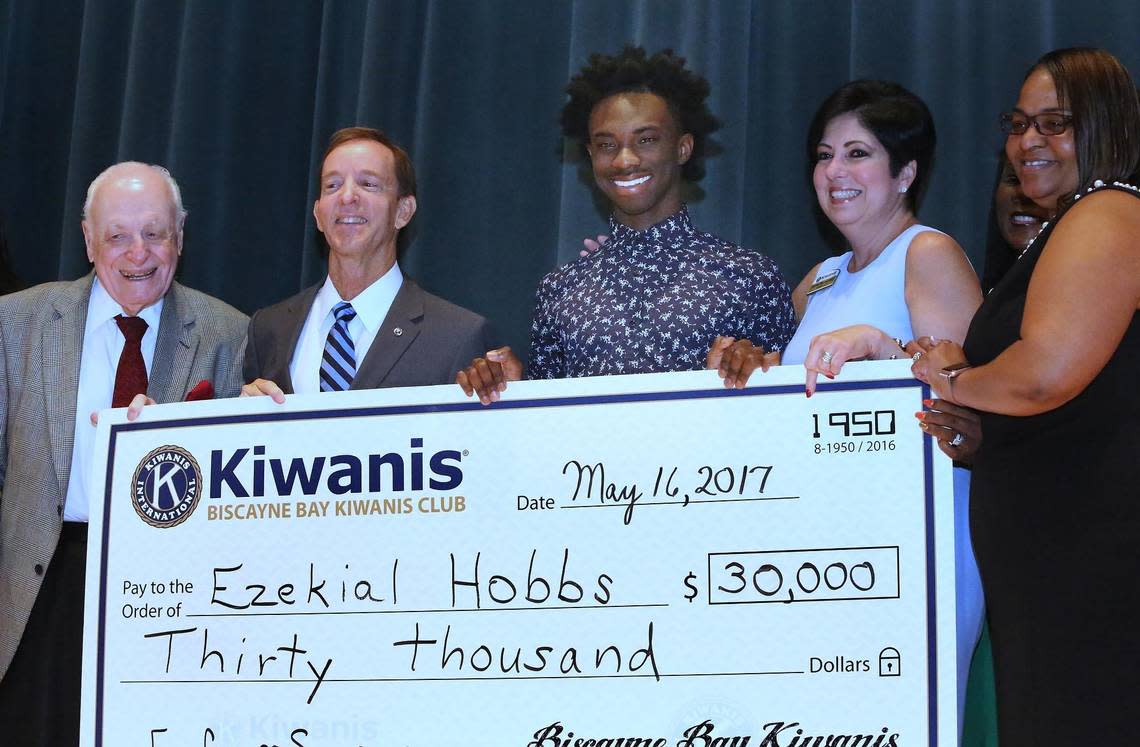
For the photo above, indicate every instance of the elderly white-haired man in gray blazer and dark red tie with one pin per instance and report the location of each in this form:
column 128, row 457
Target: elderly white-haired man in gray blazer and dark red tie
column 126, row 334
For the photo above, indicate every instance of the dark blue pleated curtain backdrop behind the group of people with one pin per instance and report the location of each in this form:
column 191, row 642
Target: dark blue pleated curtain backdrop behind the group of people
column 238, row 99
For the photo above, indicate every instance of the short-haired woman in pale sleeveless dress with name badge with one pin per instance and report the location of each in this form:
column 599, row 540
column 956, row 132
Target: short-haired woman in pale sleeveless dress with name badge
column 872, row 145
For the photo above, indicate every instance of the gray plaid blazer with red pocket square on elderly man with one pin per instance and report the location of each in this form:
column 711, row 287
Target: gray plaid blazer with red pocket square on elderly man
column 42, row 339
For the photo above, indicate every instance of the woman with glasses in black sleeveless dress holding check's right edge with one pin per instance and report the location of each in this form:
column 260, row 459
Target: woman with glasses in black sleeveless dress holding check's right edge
column 1052, row 361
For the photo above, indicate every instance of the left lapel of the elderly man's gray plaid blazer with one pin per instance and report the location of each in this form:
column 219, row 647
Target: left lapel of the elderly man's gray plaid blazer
column 61, row 354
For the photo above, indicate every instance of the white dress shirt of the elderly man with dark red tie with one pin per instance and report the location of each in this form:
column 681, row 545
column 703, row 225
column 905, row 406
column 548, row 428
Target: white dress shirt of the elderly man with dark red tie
column 103, row 345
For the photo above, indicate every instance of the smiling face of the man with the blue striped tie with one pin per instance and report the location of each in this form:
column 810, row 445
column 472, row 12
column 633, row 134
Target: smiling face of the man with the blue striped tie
column 360, row 209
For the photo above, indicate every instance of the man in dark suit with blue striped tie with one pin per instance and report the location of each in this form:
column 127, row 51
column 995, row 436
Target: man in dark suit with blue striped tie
column 367, row 326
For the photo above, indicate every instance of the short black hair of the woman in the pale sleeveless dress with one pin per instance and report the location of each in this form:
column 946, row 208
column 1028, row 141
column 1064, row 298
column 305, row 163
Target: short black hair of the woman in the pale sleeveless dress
column 899, row 119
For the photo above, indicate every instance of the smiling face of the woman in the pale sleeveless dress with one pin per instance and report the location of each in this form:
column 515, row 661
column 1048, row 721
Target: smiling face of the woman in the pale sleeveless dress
column 852, row 178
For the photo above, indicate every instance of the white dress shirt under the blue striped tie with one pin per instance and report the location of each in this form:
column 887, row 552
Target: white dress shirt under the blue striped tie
column 372, row 306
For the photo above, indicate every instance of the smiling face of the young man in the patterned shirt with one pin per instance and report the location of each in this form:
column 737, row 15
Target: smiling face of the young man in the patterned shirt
column 638, row 152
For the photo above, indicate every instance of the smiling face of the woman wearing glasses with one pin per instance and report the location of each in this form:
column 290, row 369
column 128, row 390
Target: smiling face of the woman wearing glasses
column 1046, row 165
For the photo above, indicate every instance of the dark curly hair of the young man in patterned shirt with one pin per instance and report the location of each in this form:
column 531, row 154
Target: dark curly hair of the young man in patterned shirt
column 632, row 71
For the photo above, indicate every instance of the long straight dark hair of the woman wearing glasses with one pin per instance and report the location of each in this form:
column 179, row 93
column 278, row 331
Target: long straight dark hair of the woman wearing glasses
column 1098, row 91
